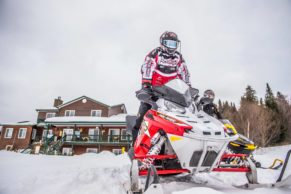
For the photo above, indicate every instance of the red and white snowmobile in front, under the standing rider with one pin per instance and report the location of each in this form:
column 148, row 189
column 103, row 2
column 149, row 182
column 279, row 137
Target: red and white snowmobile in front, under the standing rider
column 176, row 138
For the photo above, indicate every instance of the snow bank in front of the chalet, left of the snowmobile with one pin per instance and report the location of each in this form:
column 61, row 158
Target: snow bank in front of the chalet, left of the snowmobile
column 85, row 174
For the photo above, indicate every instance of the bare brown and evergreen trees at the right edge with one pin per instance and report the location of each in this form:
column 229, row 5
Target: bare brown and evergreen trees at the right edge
column 266, row 121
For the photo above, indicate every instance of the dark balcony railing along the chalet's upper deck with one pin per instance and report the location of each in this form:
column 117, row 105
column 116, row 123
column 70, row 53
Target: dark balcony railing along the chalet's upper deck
column 97, row 138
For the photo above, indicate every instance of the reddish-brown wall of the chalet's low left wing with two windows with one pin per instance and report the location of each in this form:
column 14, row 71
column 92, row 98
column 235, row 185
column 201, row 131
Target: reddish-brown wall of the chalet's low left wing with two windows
column 14, row 140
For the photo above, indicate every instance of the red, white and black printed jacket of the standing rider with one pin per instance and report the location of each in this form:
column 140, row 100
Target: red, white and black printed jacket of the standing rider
column 160, row 67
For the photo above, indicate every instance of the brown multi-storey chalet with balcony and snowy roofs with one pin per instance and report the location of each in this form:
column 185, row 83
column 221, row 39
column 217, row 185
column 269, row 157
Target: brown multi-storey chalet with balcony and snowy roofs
column 75, row 127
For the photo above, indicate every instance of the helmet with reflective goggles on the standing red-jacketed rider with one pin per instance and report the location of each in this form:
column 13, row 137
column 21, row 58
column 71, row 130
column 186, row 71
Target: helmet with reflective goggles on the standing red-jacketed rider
column 169, row 41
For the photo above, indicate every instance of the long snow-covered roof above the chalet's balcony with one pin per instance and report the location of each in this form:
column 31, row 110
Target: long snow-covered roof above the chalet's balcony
column 115, row 119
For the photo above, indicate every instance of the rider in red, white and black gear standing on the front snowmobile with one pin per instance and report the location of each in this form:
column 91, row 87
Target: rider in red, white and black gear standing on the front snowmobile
column 161, row 65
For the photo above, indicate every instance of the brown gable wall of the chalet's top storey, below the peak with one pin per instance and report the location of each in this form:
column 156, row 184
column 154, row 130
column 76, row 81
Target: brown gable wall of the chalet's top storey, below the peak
column 84, row 109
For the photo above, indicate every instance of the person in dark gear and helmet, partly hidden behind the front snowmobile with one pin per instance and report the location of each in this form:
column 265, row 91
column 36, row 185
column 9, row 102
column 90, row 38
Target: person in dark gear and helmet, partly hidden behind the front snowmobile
column 210, row 108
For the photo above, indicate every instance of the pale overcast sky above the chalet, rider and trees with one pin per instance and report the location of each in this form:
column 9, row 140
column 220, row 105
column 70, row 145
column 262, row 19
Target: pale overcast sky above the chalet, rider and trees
column 71, row 48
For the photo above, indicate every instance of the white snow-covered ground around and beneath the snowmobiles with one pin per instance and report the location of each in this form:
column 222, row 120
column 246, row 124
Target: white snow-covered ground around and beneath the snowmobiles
column 106, row 173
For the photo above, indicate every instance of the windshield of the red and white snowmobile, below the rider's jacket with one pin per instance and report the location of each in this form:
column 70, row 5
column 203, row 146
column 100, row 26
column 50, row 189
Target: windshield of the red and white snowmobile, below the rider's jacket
column 176, row 91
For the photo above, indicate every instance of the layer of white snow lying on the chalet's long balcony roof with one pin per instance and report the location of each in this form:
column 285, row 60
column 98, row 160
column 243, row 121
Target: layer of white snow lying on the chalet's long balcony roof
column 114, row 118
